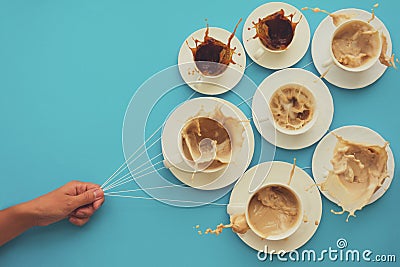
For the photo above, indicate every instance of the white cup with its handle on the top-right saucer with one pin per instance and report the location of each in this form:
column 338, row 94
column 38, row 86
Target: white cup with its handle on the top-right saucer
column 333, row 59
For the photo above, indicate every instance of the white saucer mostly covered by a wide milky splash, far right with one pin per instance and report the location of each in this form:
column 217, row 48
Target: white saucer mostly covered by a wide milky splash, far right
column 324, row 152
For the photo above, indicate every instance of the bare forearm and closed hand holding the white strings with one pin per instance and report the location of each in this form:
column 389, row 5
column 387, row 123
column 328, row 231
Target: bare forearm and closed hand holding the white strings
column 76, row 201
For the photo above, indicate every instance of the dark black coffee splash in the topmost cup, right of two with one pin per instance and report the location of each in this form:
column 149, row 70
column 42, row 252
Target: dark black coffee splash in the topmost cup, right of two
column 276, row 31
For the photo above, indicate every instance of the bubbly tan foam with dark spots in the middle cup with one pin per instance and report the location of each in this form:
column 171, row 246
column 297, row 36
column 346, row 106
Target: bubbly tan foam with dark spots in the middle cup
column 292, row 106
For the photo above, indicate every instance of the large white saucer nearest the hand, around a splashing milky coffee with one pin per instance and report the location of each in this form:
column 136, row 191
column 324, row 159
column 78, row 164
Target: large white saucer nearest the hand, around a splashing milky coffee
column 240, row 158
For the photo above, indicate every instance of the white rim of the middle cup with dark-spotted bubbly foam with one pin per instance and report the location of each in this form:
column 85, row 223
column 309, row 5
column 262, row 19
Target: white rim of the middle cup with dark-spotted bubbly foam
column 303, row 129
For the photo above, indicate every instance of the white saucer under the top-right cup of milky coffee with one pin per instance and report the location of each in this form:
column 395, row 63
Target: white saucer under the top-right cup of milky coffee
column 337, row 76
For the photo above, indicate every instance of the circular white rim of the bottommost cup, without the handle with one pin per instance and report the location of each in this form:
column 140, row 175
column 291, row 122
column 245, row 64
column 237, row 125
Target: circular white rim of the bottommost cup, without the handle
column 288, row 232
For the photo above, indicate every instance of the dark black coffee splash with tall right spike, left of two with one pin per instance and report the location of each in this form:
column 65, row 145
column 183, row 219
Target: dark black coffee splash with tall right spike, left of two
column 213, row 56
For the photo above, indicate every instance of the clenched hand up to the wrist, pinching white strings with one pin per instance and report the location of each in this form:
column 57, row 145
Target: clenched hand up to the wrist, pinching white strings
column 76, row 200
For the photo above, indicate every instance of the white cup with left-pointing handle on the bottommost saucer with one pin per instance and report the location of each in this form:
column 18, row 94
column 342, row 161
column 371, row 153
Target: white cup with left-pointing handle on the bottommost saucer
column 232, row 209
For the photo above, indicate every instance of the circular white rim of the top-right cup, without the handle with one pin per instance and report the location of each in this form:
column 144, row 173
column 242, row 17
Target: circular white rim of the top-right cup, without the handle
column 363, row 67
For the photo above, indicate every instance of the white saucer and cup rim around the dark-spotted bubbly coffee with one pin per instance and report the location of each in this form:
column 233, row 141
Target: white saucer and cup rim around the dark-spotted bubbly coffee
column 324, row 106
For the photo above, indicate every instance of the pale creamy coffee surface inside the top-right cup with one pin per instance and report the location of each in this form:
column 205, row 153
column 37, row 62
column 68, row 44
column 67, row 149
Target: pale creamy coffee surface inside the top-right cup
column 355, row 43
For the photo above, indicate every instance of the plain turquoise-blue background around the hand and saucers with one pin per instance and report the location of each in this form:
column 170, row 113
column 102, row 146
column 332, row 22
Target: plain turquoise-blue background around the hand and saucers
column 67, row 72
